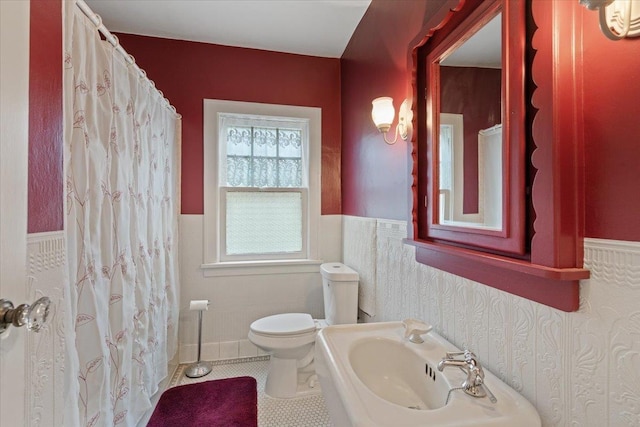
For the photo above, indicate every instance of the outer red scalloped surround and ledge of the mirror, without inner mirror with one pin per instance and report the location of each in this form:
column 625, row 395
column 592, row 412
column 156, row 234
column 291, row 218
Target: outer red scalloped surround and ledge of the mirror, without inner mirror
column 551, row 270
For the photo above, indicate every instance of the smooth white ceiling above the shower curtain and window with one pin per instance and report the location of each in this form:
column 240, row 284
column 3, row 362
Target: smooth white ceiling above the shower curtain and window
column 308, row 27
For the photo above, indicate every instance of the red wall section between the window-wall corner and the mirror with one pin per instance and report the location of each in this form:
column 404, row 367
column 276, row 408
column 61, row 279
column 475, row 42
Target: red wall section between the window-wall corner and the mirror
column 376, row 176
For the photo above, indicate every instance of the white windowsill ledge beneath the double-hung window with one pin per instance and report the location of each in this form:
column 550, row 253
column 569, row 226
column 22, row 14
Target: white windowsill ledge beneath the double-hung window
column 250, row 268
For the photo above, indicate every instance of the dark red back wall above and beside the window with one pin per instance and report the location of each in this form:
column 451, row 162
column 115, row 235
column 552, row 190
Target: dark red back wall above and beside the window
column 188, row 72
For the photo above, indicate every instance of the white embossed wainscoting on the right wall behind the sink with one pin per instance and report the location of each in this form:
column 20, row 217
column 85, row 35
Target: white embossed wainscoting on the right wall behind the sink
column 580, row 368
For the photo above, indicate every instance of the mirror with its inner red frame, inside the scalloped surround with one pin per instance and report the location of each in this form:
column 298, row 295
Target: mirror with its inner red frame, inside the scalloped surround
column 471, row 130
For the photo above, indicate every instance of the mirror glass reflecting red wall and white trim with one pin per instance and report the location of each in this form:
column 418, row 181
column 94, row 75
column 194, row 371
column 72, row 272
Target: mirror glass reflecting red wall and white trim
column 470, row 148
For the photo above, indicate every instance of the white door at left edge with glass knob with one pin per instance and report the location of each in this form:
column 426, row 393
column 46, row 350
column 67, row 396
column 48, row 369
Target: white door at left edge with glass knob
column 14, row 108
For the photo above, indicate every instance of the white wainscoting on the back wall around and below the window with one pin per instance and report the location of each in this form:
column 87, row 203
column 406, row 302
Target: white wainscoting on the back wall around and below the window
column 239, row 299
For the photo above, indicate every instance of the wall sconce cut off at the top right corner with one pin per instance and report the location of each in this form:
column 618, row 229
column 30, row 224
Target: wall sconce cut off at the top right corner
column 618, row 18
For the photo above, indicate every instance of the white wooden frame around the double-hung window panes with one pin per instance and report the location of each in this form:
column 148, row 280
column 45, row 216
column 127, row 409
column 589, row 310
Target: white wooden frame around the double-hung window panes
column 214, row 262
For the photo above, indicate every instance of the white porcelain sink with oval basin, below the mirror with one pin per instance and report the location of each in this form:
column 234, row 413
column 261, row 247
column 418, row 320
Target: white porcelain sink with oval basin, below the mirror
column 371, row 375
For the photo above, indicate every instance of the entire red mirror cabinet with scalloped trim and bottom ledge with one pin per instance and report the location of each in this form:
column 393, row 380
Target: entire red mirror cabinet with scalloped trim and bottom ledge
column 537, row 251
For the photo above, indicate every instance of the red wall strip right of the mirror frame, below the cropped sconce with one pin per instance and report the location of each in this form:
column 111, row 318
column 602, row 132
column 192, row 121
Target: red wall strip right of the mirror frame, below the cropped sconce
column 612, row 134
